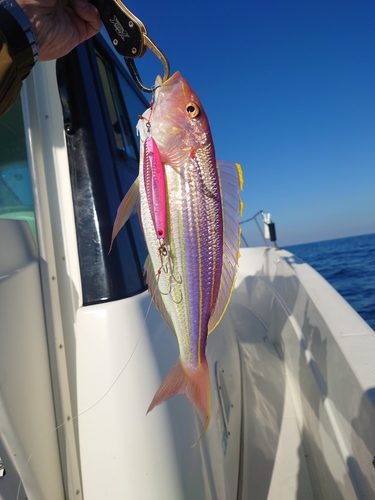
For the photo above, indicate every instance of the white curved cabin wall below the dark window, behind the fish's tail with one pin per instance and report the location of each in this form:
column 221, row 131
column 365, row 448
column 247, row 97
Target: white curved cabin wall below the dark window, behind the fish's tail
column 124, row 350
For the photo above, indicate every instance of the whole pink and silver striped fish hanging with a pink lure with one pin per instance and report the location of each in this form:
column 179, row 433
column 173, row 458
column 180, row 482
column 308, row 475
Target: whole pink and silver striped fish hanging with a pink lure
column 189, row 206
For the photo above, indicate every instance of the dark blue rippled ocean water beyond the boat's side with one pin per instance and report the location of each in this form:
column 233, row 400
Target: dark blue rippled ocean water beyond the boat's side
column 348, row 264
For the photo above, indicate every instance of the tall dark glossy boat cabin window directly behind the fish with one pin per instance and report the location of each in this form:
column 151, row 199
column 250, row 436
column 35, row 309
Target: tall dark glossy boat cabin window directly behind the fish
column 103, row 162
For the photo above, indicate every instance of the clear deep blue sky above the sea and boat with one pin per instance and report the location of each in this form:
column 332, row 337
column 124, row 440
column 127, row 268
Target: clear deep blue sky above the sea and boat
column 289, row 90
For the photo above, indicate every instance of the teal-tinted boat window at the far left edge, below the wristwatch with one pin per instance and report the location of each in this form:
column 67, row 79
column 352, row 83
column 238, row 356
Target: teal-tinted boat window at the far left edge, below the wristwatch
column 16, row 200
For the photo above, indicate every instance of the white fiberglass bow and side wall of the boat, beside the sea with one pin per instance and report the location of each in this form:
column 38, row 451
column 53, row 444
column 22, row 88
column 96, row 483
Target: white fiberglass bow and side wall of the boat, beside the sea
column 311, row 327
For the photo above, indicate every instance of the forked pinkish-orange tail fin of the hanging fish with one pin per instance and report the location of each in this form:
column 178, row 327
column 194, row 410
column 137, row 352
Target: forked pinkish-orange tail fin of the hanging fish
column 194, row 383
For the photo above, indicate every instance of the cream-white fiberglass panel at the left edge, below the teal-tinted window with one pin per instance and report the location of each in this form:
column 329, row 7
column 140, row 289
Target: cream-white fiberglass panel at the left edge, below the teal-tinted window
column 28, row 448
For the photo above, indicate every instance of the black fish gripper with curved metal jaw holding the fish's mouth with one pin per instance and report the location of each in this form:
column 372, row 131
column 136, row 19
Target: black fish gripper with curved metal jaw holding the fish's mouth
column 129, row 37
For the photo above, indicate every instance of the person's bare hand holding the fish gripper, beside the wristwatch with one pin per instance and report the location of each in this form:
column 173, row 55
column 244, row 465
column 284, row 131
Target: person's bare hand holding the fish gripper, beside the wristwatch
column 60, row 25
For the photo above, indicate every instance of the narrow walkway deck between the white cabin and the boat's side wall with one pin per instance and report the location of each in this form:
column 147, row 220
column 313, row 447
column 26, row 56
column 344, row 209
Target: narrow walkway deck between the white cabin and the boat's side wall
column 274, row 461
